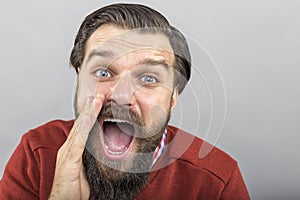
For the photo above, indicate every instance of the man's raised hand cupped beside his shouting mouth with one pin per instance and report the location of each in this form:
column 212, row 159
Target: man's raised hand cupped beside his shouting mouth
column 69, row 178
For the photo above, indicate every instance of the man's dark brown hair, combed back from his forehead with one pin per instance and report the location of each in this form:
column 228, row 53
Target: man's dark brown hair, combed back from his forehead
column 134, row 16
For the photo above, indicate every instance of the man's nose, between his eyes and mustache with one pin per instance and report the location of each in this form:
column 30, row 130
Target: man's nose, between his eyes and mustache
column 123, row 91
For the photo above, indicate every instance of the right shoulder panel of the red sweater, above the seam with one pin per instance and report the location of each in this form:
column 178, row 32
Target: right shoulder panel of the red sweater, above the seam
column 194, row 151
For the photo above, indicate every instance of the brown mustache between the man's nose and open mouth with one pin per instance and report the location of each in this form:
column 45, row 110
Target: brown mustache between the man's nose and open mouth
column 114, row 111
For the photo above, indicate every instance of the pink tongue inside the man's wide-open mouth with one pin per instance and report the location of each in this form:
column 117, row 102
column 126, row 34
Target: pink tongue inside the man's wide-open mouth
column 116, row 139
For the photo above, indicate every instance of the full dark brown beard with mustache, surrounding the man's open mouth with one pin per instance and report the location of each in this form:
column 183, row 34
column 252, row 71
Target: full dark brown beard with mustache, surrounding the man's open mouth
column 122, row 179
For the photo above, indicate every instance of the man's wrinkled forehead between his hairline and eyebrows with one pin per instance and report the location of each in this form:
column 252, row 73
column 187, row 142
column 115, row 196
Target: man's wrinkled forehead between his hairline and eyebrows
column 114, row 43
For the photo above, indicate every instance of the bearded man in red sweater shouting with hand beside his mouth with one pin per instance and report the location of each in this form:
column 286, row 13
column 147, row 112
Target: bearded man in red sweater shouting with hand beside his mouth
column 132, row 65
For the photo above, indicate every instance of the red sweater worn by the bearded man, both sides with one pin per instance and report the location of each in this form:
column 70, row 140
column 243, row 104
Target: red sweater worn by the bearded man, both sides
column 30, row 171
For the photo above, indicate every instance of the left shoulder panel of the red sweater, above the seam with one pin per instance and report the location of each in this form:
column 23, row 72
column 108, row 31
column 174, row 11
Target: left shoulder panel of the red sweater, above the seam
column 49, row 135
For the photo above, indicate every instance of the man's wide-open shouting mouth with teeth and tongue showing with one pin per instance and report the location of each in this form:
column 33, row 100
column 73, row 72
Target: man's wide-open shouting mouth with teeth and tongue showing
column 117, row 137
